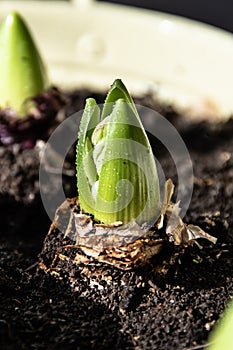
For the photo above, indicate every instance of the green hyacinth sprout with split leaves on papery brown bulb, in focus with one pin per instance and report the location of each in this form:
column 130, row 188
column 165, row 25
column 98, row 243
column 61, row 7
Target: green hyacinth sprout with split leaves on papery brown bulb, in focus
column 116, row 171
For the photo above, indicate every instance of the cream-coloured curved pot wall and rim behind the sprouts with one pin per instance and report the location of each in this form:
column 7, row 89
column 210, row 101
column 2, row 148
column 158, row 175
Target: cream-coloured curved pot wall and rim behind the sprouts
column 89, row 43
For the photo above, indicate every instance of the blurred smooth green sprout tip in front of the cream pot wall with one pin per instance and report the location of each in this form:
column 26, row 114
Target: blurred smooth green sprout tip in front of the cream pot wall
column 23, row 74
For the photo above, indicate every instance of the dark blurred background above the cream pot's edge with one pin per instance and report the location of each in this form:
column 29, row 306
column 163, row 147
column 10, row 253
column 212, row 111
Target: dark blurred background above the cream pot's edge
column 215, row 12
